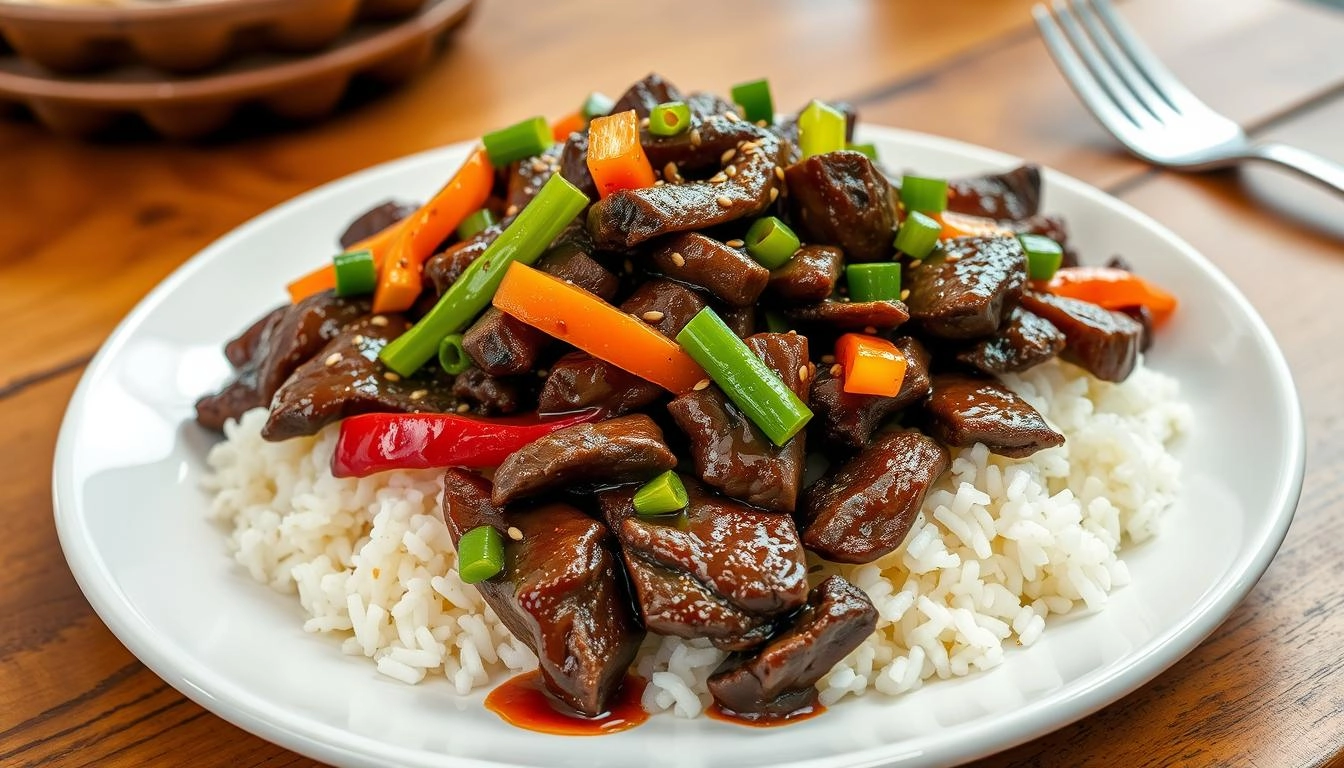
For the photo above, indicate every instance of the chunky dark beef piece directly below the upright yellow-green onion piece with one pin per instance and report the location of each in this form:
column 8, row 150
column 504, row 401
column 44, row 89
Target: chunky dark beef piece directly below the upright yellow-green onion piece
column 841, row 198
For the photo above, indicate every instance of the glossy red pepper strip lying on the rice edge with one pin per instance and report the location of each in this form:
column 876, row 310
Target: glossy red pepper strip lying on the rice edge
column 380, row 442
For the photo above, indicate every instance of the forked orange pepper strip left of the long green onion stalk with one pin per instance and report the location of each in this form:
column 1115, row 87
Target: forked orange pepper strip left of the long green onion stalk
column 401, row 251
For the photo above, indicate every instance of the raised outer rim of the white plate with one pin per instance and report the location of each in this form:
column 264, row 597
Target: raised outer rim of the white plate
column 978, row 739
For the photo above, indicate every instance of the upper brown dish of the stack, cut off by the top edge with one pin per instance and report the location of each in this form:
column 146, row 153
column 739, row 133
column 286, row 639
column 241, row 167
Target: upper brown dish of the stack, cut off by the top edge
column 179, row 36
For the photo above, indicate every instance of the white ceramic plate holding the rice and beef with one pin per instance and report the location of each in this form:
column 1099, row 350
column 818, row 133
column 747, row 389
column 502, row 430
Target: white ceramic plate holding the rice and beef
column 132, row 524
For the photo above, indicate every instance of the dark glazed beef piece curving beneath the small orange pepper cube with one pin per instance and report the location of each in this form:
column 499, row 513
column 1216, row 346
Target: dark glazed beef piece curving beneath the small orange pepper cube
column 847, row 422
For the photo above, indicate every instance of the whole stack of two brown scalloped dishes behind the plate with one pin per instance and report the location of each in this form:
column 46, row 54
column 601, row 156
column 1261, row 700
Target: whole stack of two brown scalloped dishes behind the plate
column 186, row 68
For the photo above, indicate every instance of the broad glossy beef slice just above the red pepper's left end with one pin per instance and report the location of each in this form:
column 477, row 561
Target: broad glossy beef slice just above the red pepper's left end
column 346, row 379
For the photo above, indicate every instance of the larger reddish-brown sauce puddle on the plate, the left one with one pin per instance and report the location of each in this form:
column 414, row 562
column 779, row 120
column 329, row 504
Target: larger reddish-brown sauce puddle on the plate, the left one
column 523, row 701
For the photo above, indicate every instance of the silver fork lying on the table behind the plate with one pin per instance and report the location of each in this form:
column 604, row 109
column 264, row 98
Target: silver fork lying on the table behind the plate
column 1143, row 104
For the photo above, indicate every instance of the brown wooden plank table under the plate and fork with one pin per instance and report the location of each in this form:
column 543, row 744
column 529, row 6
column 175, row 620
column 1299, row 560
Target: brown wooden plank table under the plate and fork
column 89, row 229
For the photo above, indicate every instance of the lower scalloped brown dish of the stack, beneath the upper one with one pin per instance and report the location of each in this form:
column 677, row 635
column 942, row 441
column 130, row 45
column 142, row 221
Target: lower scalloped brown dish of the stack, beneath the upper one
column 299, row 88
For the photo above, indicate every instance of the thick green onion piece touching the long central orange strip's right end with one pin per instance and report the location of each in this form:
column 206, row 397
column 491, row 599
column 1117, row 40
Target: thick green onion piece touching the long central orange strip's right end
column 748, row 383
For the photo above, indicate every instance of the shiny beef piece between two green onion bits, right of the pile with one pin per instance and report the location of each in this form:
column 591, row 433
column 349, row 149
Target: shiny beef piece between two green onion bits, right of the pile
column 968, row 290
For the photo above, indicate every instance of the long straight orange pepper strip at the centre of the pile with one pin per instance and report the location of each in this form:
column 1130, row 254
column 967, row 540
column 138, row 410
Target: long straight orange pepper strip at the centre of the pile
column 580, row 318
